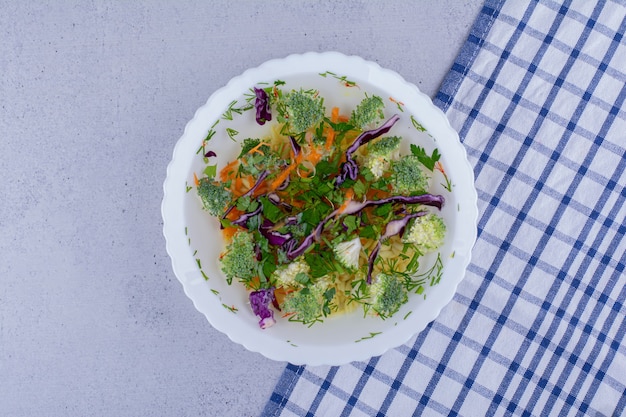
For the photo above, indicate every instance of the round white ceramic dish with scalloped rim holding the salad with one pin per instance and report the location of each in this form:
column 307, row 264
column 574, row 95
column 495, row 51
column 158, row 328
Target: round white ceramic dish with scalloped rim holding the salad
column 194, row 241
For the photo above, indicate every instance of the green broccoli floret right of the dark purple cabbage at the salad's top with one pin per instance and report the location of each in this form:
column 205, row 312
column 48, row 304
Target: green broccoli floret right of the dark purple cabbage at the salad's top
column 304, row 110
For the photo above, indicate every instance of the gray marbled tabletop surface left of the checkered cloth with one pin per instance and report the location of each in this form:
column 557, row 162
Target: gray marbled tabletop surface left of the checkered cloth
column 93, row 96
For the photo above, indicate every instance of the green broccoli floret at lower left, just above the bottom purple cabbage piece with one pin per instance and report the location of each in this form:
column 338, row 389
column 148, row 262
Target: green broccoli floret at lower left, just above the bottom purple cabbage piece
column 239, row 259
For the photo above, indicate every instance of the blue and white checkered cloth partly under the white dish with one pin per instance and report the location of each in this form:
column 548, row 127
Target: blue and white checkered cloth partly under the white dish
column 537, row 326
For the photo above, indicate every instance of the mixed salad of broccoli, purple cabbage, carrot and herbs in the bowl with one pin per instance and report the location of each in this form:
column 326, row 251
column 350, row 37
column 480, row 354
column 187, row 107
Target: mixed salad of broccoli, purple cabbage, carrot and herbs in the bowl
column 326, row 214
